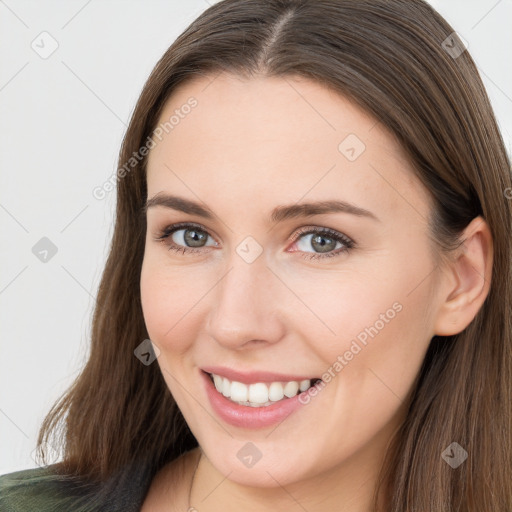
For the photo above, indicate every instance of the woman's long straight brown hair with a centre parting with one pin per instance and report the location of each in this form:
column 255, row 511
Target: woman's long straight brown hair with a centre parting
column 392, row 59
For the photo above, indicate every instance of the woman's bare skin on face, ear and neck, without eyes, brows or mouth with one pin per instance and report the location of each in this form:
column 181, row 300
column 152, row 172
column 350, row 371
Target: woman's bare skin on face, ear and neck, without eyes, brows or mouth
column 247, row 147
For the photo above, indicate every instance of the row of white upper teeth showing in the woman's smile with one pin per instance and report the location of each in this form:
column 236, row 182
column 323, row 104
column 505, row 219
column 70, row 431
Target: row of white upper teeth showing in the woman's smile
column 258, row 393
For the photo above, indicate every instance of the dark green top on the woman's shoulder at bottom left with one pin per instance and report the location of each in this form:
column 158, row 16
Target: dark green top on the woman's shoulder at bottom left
column 43, row 490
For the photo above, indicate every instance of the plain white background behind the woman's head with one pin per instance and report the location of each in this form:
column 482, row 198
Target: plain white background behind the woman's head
column 62, row 122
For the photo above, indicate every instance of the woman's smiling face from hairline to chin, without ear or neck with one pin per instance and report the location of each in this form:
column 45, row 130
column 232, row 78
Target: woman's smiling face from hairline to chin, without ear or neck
column 252, row 288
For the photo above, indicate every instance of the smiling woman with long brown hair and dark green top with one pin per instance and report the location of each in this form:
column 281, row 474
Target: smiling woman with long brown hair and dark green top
column 307, row 299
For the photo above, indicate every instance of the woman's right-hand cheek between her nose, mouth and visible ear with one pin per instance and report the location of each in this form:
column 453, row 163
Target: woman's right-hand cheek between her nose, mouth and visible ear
column 373, row 324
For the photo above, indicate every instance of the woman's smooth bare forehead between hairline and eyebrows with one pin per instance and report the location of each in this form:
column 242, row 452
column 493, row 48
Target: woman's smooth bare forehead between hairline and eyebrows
column 288, row 135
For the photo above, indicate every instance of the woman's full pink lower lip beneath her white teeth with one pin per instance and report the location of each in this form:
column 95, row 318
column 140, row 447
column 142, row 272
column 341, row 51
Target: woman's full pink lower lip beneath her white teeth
column 247, row 416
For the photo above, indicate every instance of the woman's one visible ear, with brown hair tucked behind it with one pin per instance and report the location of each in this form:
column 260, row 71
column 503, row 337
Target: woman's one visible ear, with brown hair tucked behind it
column 467, row 280
